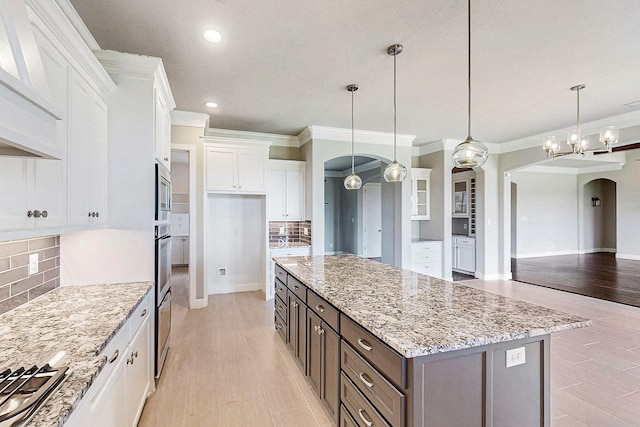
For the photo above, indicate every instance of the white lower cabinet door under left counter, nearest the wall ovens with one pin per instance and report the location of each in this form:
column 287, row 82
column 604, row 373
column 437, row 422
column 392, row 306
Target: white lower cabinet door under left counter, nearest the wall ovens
column 139, row 373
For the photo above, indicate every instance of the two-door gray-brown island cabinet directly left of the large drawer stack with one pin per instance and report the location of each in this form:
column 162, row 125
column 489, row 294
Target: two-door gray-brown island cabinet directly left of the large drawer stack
column 323, row 362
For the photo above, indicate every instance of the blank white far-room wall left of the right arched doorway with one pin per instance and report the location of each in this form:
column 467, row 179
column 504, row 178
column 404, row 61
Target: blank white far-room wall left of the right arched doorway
column 547, row 214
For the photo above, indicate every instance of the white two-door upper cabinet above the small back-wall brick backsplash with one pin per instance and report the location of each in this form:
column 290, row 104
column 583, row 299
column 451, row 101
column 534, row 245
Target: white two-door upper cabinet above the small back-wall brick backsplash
column 286, row 190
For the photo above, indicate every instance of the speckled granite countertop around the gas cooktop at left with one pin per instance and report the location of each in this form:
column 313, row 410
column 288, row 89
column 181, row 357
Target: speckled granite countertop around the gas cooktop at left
column 79, row 320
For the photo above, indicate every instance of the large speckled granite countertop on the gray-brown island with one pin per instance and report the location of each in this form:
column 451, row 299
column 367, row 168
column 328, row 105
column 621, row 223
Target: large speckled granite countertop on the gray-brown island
column 419, row 315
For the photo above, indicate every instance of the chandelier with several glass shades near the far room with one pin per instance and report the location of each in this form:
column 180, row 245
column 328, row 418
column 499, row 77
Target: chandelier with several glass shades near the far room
column 578, row 143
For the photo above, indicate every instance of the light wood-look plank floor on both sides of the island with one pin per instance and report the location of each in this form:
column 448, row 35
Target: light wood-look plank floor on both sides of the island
column 227, row 366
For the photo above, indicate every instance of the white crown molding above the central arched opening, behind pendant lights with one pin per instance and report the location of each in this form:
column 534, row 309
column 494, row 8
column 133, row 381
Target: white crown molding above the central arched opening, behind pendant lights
column 361, row 136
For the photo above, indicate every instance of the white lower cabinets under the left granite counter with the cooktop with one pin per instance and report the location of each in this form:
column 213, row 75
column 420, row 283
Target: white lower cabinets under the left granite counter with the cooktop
column 119, row 392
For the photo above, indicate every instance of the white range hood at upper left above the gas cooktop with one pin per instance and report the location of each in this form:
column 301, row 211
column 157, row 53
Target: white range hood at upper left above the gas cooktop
column 27, row 116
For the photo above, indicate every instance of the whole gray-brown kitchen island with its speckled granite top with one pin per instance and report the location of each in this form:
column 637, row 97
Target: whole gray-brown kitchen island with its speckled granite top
column 383, row 346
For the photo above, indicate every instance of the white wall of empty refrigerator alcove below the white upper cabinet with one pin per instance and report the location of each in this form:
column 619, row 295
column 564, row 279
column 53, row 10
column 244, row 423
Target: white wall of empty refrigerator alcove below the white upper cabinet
column 235, row 241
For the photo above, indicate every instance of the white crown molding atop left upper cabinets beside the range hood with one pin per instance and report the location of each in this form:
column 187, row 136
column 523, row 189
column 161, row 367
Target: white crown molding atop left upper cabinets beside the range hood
column 61, row 24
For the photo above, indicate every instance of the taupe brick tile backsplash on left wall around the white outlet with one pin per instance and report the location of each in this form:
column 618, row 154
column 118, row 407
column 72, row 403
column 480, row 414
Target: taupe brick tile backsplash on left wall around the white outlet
column 16, row 285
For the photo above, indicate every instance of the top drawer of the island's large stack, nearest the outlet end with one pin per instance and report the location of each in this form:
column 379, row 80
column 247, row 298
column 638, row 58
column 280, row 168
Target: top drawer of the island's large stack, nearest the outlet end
column 386, row 360
